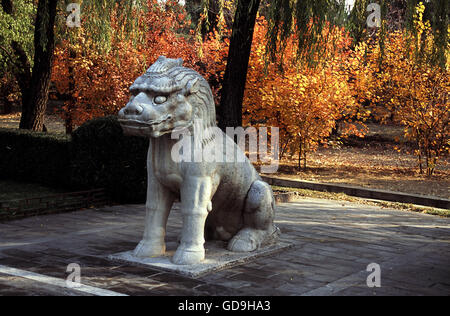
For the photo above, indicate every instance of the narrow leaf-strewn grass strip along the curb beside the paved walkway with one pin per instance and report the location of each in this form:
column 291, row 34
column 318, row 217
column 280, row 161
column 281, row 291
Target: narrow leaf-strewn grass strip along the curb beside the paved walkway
column 348, row 198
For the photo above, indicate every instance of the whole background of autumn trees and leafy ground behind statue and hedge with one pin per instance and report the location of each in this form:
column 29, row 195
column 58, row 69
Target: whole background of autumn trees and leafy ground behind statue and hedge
column 354, row 104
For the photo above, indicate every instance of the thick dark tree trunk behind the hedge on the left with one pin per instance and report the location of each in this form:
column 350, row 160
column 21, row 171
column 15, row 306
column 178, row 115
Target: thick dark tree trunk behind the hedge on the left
column 34, row 102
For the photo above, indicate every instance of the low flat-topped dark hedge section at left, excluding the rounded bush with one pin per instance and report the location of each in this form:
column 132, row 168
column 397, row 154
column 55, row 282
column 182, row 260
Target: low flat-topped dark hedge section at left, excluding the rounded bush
column 34, row 157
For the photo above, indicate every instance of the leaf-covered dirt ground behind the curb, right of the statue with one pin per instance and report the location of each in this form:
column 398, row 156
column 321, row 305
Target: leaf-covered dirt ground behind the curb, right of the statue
column 371, row 167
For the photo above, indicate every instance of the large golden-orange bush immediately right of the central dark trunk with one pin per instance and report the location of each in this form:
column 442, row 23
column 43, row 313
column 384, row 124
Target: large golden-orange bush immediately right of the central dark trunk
column 304, row 101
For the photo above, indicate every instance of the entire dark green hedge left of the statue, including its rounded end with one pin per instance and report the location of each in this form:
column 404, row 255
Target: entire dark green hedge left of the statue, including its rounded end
column 97, row 155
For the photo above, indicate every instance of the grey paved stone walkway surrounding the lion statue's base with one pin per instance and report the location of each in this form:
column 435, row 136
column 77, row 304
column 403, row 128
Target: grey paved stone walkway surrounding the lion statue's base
column 334, row 242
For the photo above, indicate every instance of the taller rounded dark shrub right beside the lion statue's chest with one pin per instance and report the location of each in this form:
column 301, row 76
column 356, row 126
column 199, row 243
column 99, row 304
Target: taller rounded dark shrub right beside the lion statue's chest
column 102, row 157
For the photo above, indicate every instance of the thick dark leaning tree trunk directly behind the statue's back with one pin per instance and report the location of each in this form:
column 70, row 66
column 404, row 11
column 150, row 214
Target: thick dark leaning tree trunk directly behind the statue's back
column 233, row 87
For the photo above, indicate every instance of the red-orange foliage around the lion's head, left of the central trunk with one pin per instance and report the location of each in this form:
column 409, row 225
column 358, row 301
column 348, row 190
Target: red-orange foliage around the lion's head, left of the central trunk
column 95, row 84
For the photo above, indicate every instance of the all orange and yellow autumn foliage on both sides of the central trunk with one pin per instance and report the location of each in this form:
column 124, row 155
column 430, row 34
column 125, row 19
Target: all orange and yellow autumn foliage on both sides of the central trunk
column 307, row 103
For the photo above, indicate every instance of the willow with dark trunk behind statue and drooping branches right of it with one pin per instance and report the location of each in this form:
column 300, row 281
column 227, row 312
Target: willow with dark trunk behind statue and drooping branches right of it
column 284, row 16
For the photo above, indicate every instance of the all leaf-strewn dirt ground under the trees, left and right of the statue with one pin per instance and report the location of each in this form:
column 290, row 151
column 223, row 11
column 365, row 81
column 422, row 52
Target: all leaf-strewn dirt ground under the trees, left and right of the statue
column 370, row 163
